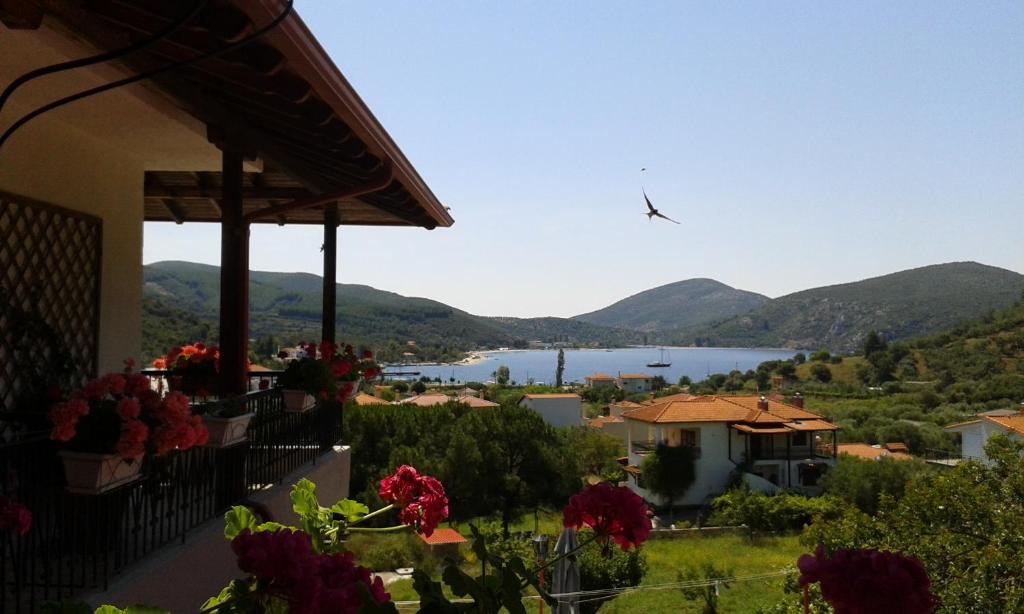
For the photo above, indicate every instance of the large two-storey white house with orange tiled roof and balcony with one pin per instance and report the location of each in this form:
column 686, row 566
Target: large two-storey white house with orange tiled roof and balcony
column 780, row 444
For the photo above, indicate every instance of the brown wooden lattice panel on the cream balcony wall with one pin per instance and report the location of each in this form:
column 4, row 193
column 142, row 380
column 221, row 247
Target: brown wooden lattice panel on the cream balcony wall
column 50, row 299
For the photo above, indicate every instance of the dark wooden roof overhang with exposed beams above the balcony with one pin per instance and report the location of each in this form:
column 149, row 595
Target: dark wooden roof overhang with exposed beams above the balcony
column 279, row 99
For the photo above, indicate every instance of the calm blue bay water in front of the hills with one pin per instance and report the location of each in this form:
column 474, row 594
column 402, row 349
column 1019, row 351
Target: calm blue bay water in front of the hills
column 540, row 365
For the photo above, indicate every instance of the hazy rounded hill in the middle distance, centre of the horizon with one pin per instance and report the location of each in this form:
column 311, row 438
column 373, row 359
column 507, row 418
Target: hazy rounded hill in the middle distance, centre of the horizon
column 675, row 306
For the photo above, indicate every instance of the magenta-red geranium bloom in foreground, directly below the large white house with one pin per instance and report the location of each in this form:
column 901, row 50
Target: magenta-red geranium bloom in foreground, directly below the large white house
column 614, row 512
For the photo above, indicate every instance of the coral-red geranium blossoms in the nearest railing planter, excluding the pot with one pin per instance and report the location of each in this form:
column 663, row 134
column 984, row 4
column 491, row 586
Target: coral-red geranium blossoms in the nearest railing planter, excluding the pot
column 122, row 414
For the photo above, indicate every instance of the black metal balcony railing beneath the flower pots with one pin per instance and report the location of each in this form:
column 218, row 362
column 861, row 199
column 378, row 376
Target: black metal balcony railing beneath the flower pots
column 79, row 543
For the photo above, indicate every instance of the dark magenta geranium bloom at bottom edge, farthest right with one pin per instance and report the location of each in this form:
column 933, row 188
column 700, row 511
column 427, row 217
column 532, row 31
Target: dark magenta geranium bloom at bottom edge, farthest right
column 864, row 582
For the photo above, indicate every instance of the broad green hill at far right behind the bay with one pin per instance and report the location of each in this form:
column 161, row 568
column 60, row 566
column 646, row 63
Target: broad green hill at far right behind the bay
column 905, row 305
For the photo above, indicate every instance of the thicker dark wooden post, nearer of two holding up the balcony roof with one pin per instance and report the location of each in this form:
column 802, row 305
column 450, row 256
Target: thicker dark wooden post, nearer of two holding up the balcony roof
column 234, row 281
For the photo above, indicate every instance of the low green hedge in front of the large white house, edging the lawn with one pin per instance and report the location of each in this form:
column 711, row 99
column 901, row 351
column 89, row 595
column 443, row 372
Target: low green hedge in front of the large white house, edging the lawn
column 777, row 513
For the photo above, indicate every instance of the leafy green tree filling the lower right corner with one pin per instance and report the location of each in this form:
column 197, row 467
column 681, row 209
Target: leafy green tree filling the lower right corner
column 965, row 525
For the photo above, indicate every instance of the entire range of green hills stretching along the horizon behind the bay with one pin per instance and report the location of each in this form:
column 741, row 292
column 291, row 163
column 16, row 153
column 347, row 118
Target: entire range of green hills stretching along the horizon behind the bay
column 182, row 302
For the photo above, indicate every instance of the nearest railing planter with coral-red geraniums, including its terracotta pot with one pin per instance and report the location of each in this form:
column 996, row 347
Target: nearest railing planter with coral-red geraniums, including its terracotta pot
column 115, row 421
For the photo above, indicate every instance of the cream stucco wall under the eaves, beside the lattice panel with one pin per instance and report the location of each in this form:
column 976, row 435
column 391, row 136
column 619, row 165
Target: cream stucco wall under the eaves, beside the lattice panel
column 92, row 157
